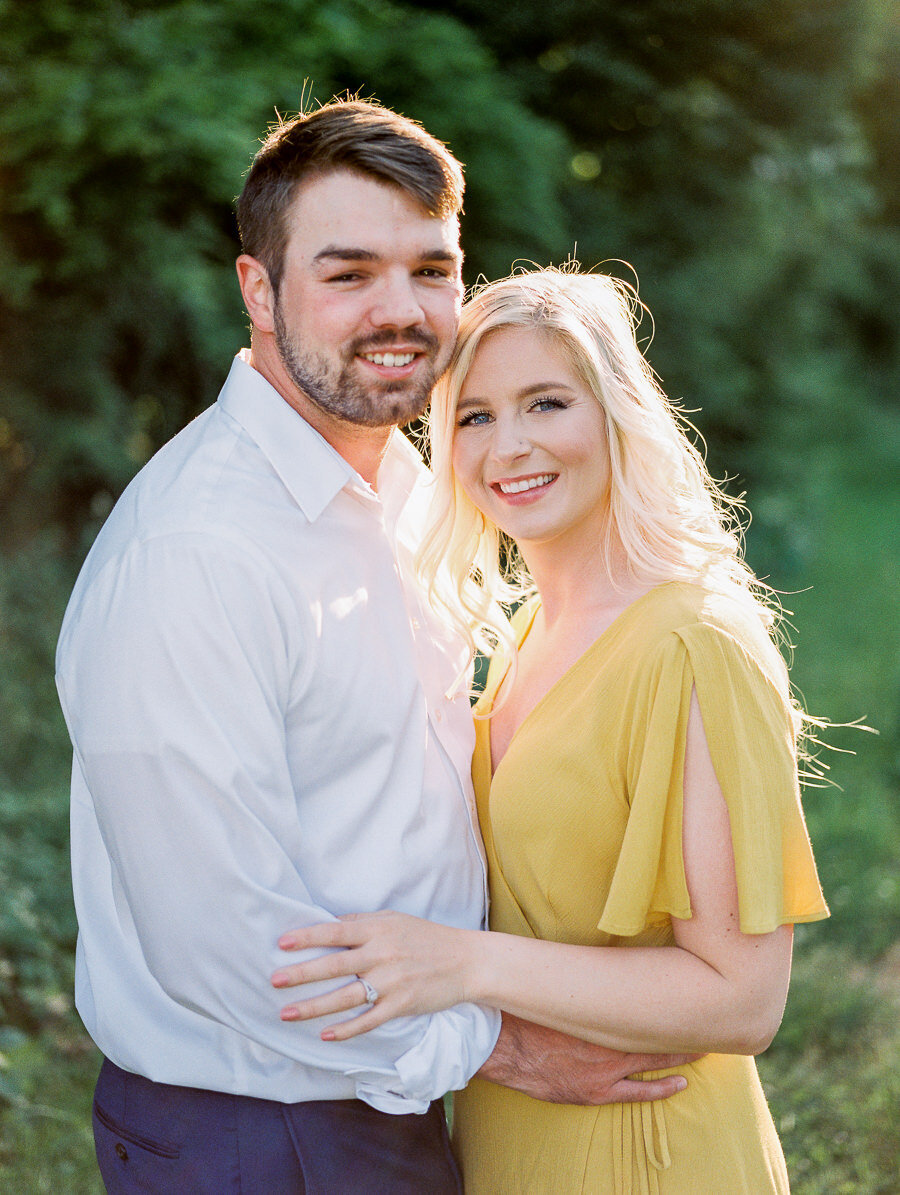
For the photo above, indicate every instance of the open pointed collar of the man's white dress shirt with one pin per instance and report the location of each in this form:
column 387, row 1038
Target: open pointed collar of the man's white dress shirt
column 311, row 470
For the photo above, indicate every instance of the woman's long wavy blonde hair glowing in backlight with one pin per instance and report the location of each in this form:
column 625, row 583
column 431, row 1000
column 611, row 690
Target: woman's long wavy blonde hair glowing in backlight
column 674, row 522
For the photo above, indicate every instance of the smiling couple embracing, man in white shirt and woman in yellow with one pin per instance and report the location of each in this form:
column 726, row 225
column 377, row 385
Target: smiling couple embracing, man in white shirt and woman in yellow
column 287, row 822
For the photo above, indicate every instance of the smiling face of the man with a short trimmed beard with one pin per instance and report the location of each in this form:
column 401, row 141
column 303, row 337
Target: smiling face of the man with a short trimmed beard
column 369, row 305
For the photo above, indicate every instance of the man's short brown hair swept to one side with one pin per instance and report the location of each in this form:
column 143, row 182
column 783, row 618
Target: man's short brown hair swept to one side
column 346, row 134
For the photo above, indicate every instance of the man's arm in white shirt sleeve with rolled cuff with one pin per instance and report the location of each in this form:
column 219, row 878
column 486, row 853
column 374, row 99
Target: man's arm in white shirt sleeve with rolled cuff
column 175, row 672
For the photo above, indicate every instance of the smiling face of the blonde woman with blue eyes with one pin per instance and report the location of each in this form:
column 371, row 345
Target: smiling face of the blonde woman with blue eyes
column 530, row 446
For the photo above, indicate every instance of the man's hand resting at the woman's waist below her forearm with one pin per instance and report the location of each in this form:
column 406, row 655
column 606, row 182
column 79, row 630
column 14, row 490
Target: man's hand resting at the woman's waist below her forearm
column 549, row 1065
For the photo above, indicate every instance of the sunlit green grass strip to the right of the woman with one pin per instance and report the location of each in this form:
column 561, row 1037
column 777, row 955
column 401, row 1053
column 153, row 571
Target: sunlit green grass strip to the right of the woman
column 834, row 1075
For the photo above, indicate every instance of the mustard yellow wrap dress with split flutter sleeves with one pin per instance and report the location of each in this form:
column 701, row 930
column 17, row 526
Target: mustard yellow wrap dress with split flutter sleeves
column 583, row 826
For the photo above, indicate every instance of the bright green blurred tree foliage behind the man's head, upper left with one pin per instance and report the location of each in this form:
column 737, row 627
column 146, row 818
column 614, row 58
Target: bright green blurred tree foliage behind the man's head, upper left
column 125, row 130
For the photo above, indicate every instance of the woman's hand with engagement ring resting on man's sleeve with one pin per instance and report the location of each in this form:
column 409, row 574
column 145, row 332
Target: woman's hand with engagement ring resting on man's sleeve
column 414, row 966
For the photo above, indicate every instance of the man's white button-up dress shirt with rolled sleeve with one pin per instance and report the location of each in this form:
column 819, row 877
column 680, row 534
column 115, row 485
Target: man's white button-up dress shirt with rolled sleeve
column 256, row 695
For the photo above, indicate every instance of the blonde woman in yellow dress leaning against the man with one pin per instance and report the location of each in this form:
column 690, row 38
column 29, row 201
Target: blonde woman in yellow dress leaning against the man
column 636, row 768
